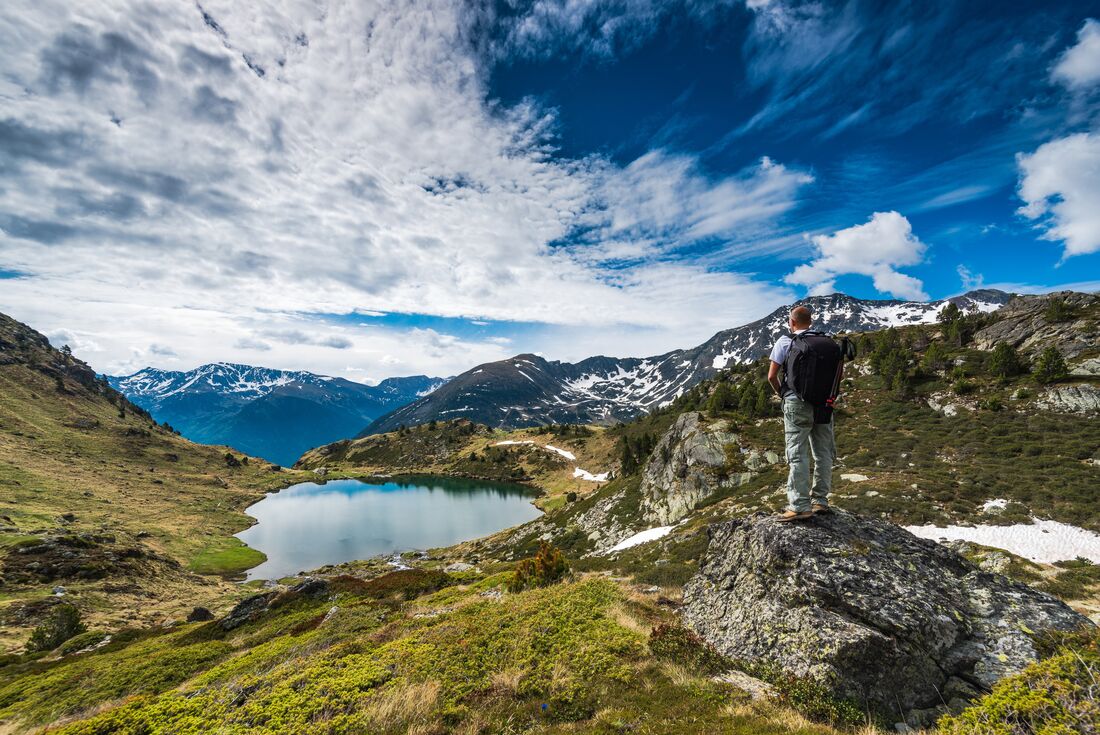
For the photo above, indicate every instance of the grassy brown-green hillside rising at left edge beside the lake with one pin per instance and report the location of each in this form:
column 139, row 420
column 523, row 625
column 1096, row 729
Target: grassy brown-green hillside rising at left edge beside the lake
column 103, row 508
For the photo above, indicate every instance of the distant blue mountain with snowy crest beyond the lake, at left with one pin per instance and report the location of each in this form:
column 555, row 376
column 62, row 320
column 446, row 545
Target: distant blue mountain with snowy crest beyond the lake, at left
column 267, row 413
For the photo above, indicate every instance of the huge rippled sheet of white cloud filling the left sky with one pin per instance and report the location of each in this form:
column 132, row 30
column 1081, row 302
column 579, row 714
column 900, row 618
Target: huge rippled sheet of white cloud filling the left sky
column 252, row 164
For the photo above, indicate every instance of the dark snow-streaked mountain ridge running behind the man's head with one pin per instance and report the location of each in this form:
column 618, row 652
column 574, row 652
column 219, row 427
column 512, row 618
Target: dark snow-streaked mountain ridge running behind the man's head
column 529, row 390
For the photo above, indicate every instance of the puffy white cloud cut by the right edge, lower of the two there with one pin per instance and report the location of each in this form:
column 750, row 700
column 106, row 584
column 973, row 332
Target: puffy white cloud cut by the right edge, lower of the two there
column 1060, row 184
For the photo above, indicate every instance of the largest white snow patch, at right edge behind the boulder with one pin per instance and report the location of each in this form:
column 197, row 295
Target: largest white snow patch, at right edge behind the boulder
column 1043, row 542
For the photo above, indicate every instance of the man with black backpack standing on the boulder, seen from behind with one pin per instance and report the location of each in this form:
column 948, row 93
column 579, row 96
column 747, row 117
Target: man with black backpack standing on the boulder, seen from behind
column 812, row 366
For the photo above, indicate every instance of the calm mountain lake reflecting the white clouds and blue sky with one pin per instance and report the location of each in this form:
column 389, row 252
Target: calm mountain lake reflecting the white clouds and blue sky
column 311, row 525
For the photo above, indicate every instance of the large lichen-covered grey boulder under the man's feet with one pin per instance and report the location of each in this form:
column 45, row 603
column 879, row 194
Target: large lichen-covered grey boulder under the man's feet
column 898, row 623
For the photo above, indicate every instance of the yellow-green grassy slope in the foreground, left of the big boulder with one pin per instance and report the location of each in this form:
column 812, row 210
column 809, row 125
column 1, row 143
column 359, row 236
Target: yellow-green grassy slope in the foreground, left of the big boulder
column 569, row 659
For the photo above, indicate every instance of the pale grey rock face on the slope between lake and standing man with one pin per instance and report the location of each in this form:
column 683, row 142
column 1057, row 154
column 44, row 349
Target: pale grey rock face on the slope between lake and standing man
column 690, row 464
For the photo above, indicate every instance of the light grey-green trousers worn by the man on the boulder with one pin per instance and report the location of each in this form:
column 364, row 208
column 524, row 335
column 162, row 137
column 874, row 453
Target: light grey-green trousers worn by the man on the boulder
column 806, row 438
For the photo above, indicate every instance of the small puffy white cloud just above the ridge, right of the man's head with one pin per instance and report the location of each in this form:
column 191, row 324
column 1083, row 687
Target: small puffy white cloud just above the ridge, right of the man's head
column 875, row 249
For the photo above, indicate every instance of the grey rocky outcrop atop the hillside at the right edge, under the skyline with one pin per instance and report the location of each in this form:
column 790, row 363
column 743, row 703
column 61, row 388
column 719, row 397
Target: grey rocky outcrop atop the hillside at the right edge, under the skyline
column 1027, row 323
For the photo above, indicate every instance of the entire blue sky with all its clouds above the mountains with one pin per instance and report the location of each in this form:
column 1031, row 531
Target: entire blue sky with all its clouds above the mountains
column 381, row 189
